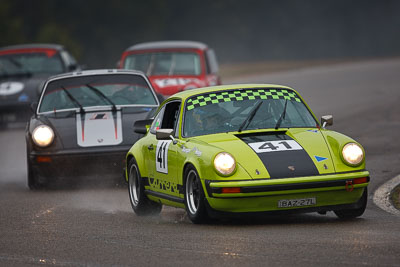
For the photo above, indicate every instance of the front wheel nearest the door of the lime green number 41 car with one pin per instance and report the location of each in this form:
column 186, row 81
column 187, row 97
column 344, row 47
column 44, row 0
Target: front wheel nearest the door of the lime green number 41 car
column 194, row 197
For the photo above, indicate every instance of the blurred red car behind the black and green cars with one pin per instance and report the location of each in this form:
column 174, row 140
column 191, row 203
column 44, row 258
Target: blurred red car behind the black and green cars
column 173, row 66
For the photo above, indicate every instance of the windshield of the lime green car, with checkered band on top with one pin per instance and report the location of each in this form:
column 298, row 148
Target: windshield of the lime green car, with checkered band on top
column 246, row 109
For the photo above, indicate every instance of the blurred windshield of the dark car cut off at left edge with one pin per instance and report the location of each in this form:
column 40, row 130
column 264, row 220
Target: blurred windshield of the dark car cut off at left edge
column 46, row 62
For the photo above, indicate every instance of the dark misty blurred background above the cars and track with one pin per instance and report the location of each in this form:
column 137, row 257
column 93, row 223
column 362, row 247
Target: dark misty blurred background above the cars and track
column 97, row 32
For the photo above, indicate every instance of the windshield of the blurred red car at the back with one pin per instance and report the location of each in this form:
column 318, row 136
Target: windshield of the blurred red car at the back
column 165, row 63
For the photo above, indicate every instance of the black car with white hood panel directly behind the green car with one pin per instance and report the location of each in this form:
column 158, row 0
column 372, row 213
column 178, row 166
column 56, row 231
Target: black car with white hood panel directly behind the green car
column 83, row 125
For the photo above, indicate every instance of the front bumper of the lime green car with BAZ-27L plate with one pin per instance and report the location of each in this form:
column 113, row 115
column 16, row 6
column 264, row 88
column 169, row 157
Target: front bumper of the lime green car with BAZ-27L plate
column 313, row 193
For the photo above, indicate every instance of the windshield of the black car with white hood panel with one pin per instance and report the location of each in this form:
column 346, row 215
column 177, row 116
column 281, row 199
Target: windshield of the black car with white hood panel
column 96, row 90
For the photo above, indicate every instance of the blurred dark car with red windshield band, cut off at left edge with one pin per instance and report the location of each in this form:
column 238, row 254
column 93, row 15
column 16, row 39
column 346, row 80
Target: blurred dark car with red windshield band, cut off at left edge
column 23, row 69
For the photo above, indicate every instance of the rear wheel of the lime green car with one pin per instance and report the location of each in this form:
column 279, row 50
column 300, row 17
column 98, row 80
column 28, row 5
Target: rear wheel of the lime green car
column 141, row 205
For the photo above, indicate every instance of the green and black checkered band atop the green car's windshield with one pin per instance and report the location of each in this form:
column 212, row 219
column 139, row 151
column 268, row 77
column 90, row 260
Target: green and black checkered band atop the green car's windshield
column 239, row 95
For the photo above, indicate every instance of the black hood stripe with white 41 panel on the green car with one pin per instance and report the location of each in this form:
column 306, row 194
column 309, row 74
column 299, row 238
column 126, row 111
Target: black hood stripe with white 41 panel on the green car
column 282, row 156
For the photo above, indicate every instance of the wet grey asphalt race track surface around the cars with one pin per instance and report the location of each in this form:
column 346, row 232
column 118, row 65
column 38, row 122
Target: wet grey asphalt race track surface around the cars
column 94, row 225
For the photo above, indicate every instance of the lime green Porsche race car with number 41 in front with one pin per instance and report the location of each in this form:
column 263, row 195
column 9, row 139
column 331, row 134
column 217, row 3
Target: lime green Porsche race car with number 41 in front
column 244, row 149
